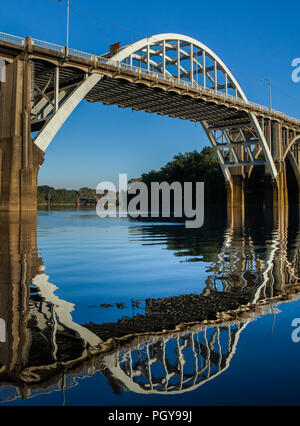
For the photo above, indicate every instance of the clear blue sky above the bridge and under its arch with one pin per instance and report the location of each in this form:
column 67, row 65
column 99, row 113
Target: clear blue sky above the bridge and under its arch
column 255, row 39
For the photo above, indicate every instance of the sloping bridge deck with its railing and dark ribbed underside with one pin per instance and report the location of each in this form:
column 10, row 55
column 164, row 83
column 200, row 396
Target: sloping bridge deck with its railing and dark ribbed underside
column 136, row 88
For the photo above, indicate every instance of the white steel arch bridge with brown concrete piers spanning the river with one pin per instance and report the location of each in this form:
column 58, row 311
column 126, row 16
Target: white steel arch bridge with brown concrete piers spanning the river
column 167, row 74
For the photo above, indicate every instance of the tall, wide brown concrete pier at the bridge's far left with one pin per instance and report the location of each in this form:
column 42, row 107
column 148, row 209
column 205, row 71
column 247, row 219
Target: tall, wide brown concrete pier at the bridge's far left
column 20, row 158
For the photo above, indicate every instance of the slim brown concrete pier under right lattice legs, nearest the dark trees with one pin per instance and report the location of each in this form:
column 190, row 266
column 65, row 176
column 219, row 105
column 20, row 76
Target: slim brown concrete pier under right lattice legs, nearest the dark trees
column 235, row 200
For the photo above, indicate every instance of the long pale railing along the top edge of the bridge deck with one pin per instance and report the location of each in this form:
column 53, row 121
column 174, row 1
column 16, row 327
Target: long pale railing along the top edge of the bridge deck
column 57, row 48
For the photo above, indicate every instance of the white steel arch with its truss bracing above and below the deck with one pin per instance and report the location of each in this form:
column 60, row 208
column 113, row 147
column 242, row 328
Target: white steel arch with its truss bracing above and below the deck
column 238, row 142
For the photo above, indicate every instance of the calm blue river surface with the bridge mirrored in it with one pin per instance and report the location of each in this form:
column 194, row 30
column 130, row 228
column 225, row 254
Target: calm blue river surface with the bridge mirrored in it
column 122, row 312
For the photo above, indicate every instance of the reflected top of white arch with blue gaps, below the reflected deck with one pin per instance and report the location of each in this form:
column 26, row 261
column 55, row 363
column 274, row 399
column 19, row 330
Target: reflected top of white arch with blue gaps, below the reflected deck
column 174, row 363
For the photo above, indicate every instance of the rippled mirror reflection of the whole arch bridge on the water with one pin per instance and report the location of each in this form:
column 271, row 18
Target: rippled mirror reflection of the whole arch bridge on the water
column 44, row 350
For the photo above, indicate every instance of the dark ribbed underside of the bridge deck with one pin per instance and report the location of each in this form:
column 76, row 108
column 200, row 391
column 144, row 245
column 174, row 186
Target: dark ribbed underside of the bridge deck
column 136, row 95
